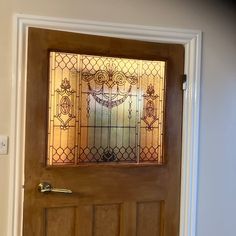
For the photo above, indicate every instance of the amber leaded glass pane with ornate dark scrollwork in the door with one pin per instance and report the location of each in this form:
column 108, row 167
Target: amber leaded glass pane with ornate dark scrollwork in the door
column 105, row 109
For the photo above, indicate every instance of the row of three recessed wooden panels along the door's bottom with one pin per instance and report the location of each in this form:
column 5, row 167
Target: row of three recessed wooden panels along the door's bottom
column 116, row 219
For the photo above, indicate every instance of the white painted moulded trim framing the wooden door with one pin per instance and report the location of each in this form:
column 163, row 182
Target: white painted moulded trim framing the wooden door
column 192, row 41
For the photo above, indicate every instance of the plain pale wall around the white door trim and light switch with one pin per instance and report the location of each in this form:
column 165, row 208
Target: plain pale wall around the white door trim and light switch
column 217, row 161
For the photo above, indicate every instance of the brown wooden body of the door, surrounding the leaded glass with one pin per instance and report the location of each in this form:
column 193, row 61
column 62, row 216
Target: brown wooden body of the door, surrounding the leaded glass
column 110, row 198
